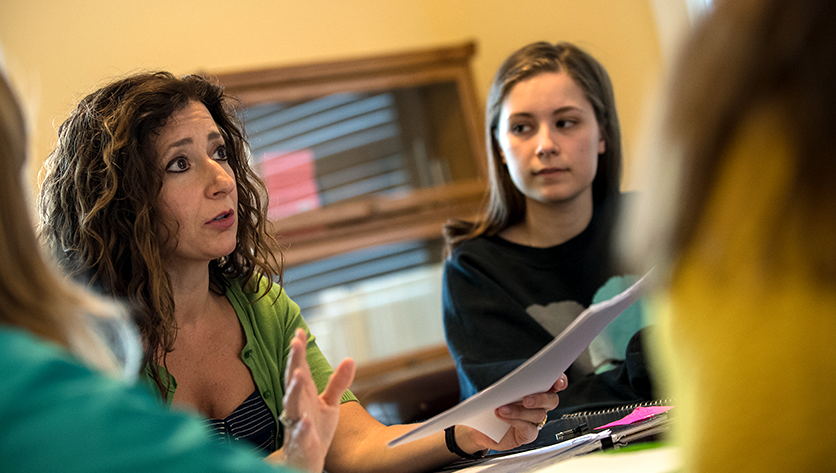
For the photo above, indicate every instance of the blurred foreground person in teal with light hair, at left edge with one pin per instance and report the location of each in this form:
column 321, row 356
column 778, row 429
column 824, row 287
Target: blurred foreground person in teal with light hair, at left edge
column 69, row 358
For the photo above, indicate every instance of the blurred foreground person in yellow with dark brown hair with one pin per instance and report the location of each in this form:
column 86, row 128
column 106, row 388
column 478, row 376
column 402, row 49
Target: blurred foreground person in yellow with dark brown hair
column 740, row 223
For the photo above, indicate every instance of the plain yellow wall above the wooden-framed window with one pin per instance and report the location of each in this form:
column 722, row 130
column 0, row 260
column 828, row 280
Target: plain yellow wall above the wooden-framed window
column 58, row 50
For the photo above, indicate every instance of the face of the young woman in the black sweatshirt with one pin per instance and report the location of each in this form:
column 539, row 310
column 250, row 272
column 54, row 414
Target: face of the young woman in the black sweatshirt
column 549, row 139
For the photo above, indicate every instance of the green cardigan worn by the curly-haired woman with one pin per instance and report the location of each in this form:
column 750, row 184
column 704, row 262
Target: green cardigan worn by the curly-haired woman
column 269, row 324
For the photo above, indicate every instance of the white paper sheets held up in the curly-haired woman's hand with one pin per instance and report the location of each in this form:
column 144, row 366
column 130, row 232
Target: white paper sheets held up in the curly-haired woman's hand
column 537, row 374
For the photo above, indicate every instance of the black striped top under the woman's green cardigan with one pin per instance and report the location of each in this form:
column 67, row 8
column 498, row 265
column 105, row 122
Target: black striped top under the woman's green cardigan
column 252, row 421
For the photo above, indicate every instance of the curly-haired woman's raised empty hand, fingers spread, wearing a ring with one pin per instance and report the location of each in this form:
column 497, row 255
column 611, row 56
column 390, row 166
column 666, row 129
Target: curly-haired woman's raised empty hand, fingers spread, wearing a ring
column 310, row 420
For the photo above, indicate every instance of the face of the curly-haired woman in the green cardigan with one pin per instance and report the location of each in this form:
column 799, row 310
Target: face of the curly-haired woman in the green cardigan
column 199, row 193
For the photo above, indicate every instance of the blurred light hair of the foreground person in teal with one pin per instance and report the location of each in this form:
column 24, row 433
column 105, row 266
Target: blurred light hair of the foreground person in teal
column 32, row 295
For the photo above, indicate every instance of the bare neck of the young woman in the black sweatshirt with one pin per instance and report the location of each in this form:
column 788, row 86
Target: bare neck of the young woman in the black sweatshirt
column 551, row 224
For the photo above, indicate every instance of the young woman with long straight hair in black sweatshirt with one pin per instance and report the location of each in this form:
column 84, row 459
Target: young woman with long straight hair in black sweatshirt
column 540, row 251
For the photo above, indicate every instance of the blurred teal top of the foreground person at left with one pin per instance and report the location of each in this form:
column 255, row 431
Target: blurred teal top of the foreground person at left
column 58, row 415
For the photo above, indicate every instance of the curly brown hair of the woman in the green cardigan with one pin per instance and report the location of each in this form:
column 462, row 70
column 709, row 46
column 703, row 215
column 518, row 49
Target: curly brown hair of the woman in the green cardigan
column 99, row 207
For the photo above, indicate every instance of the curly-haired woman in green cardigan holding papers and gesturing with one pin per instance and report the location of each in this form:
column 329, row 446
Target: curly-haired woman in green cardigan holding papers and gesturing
column 149, row 197
